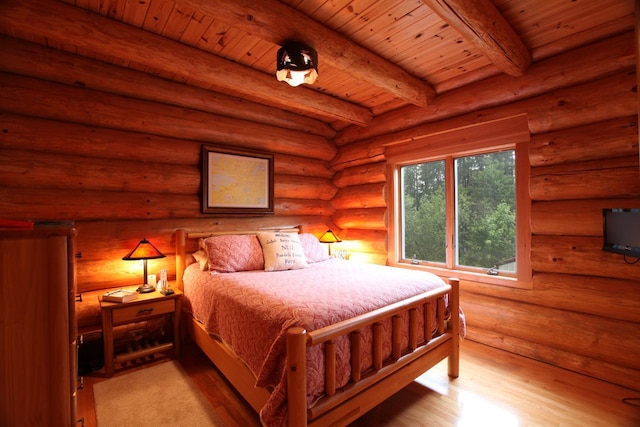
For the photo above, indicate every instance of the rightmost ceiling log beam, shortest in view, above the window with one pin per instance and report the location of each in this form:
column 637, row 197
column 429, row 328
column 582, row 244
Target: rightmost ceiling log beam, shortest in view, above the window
column 481, row 23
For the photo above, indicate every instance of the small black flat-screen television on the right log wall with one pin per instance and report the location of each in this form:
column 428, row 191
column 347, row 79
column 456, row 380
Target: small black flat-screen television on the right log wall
column 622, row 231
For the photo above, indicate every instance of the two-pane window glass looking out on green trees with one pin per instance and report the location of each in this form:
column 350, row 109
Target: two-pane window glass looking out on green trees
column 484, row 208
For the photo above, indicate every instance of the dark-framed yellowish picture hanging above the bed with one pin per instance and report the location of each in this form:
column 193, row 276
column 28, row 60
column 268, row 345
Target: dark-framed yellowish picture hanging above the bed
column 236, row 181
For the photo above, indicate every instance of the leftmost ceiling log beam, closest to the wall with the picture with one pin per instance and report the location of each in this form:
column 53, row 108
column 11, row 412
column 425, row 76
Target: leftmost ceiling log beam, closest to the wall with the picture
column 67, row 25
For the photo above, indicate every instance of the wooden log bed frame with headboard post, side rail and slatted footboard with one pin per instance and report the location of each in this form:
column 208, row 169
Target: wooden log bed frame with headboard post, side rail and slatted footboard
column 364, row 390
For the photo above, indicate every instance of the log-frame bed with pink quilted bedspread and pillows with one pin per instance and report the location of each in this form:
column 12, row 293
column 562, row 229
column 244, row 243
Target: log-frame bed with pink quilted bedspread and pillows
column 320, row 364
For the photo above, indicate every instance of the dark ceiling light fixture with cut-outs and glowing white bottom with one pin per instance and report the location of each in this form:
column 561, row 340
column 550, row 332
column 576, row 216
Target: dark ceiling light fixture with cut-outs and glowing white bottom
column 297, row 63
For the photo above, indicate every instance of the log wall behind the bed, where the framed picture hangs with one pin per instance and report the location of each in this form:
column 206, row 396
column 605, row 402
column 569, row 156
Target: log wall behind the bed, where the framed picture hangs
column 123, row 161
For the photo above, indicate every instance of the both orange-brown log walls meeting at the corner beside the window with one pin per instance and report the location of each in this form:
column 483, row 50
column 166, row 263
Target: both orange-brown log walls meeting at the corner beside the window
column 123, row 162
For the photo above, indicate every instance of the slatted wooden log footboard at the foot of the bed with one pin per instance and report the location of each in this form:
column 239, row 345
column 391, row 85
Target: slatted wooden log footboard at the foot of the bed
column 363, row 392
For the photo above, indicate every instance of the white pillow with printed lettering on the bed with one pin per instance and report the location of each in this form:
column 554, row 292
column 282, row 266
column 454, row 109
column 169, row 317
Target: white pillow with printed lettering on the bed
column 282, row 251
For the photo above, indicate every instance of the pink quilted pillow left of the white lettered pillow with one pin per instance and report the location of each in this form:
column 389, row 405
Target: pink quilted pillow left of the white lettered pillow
column 234, row 252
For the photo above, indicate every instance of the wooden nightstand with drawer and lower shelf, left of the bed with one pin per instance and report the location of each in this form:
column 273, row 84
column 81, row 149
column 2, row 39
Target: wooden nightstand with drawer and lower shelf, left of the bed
column 146, row 307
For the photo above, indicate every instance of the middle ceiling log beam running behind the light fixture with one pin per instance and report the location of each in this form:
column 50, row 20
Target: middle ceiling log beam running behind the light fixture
column 276, row 22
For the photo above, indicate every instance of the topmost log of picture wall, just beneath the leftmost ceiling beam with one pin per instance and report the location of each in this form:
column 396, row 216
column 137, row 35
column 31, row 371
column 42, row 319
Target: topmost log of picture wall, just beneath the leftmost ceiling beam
column 33, row 60
